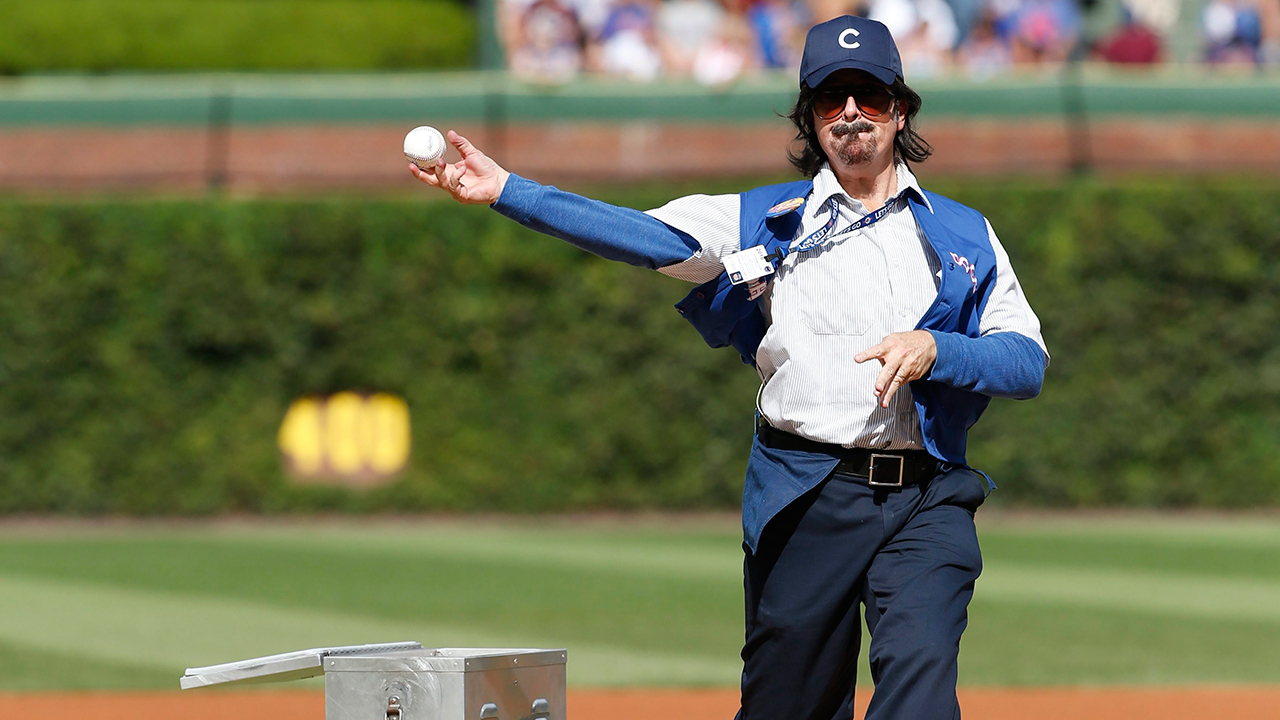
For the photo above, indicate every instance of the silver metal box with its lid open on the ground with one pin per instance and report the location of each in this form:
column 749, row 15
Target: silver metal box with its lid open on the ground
column 409, row 682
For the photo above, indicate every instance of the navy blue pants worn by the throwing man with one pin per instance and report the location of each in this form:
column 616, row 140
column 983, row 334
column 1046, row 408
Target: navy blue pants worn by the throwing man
column 909, row 557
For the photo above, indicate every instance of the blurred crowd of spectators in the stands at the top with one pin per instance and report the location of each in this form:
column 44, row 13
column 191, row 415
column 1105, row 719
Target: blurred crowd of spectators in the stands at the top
column 717, row 42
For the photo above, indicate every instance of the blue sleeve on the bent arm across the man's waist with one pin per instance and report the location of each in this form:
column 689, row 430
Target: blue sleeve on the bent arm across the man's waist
column 996, row 364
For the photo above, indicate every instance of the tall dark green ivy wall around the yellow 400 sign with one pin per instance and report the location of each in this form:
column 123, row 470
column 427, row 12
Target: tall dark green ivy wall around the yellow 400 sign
column 149, row 350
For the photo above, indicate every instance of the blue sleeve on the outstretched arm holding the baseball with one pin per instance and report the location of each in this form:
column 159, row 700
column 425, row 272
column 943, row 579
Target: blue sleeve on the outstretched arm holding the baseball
column 609, row 231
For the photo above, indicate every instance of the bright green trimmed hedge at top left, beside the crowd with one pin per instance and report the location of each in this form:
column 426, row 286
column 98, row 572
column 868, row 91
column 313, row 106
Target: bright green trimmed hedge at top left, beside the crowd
column 235, row 35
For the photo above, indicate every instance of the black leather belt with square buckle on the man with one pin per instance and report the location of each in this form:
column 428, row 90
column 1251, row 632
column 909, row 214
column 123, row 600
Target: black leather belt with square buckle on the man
column 880, row 468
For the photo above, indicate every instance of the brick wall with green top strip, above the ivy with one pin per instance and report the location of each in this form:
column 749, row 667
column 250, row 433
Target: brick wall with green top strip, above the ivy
column 300, row 133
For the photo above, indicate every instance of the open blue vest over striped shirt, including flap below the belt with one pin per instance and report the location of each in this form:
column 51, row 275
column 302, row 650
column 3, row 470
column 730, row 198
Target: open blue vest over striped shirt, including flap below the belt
column 725, row 316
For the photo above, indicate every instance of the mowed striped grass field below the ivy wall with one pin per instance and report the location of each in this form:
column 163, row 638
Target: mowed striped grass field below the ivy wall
column 1124, row 600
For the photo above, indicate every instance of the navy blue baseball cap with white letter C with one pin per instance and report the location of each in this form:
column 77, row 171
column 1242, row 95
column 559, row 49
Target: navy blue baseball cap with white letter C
column 849, row 43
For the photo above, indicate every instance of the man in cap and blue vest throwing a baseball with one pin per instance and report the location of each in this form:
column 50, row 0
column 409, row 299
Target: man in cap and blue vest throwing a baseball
column 857, row 491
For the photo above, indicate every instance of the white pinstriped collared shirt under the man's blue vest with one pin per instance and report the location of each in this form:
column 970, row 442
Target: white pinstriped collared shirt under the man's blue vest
column 828, row 306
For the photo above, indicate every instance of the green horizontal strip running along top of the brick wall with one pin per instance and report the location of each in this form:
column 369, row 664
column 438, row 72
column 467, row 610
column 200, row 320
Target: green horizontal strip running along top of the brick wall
column 497, row 98
